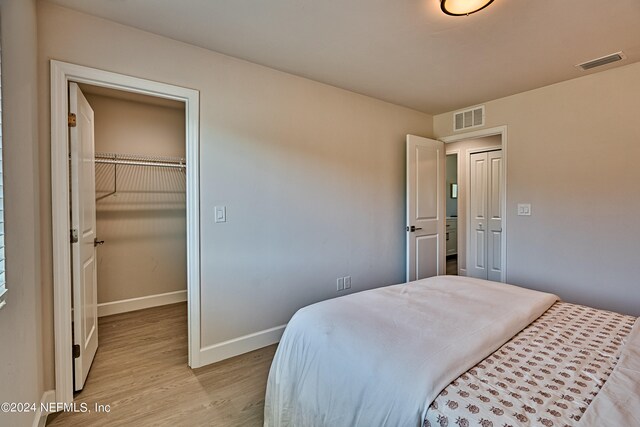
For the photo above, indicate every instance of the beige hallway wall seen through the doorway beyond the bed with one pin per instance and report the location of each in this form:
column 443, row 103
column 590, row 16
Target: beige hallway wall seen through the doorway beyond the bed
column 462, row 148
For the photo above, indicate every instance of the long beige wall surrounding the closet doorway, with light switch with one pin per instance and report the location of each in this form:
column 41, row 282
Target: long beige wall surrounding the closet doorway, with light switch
column 312, row 176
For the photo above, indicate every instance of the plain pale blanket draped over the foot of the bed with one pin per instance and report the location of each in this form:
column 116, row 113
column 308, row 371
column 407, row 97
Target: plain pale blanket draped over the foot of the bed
column 379, row 357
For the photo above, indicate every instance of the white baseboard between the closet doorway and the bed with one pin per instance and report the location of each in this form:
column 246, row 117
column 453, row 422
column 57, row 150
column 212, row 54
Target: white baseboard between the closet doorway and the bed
column 224, row 350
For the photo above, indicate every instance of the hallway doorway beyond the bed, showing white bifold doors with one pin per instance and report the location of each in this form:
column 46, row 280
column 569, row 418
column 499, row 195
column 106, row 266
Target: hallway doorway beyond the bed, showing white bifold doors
column 480, row 235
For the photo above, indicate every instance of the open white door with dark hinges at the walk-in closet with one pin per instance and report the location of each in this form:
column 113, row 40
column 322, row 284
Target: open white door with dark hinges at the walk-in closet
column 83, row 223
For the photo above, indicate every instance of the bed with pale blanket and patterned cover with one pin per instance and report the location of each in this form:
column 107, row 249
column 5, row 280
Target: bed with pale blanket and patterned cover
column 455, row 351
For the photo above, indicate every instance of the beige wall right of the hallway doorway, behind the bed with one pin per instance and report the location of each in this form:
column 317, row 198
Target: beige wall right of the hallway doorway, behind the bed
column 572, row 153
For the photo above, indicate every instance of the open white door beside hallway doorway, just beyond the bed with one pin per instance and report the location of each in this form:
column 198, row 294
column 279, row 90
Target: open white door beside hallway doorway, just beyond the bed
column 426, row 245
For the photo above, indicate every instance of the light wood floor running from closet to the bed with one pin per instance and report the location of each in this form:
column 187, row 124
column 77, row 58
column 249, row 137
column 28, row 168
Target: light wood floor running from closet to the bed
column 141, row 370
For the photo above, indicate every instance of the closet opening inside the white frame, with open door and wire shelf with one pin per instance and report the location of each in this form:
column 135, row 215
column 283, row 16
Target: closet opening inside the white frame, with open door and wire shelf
column 135, row 216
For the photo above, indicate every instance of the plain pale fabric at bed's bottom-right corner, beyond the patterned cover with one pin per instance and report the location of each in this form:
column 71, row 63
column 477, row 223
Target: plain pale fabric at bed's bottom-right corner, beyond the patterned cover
column 618, row 403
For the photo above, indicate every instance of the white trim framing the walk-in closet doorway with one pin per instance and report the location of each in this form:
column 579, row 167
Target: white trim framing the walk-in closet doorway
column 61, row 74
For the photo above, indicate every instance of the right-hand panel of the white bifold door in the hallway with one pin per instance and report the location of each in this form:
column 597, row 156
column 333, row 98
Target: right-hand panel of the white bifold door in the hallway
column 494, row 186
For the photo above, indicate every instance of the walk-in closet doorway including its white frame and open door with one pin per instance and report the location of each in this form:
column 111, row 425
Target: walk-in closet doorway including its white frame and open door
column 120, row 194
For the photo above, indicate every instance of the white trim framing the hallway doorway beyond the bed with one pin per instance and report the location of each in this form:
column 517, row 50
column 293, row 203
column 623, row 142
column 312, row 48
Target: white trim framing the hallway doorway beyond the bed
column 502, row 131
